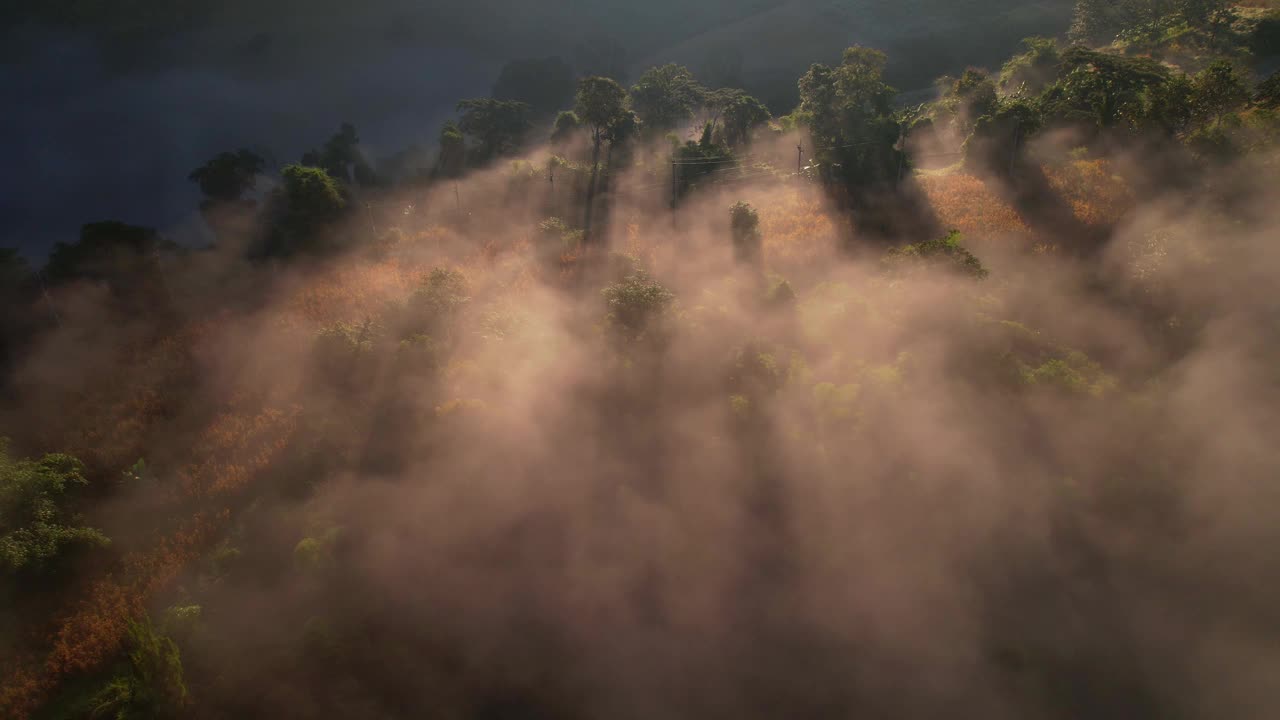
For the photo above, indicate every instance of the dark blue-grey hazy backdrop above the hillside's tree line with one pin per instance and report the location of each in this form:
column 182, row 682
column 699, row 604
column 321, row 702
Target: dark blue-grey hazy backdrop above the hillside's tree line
column 97, row 136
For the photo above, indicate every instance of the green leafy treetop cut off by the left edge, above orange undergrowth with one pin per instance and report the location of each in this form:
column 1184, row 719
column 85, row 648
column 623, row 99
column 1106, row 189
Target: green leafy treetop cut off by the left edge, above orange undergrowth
column 36, row 528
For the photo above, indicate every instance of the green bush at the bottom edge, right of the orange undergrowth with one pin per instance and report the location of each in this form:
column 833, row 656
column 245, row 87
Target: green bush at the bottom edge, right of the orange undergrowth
column 152, row 687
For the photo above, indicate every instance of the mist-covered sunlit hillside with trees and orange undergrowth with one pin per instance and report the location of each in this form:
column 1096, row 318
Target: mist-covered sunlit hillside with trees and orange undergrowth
column 647, row 398
